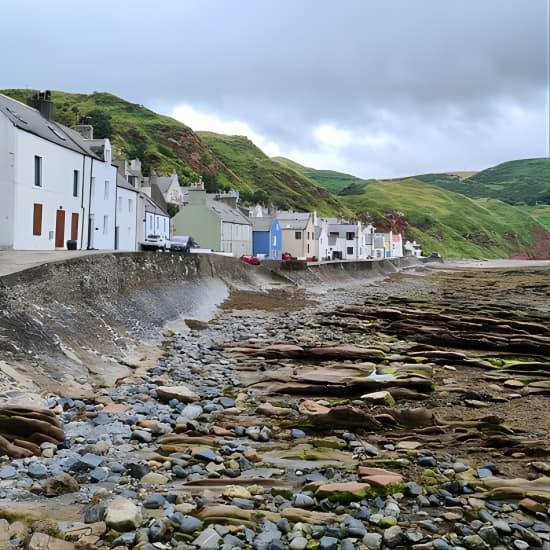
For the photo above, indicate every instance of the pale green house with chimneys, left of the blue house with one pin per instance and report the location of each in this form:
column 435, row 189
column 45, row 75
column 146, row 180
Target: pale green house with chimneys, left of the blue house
column 215, row 222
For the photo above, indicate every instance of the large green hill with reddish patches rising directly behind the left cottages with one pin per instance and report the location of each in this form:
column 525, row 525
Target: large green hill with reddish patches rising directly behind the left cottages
column 166, row 144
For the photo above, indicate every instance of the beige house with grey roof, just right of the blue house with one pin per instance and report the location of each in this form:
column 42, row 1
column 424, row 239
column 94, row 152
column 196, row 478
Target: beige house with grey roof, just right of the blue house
column 298, row 231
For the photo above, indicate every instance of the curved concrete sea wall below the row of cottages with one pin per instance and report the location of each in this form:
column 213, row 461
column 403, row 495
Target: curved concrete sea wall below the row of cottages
column 85, row 321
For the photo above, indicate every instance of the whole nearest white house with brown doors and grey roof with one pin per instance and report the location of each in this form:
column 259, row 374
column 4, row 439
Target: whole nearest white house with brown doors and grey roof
column 45, row 171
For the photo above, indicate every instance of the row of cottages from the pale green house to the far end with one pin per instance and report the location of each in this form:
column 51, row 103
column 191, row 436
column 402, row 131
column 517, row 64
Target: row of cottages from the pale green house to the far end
column 218, row 223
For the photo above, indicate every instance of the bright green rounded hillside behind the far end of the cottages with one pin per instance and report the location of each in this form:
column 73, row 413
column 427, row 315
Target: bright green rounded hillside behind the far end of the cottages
column 450, row 223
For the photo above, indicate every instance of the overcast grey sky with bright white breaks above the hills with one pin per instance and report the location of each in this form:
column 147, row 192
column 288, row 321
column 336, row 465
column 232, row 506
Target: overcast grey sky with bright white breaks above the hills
column 376, row 88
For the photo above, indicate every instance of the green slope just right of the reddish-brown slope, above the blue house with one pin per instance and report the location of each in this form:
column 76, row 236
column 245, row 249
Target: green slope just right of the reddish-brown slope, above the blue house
column 267, row 179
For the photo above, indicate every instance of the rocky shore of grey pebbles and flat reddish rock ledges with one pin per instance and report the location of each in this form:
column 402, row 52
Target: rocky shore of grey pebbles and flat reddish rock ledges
column 408, row 414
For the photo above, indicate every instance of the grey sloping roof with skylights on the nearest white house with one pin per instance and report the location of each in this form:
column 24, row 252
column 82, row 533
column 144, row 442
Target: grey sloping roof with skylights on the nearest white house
column 30, row 120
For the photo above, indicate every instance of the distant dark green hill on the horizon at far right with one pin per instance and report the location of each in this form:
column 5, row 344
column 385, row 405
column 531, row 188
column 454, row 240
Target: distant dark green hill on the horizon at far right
column 515, row 182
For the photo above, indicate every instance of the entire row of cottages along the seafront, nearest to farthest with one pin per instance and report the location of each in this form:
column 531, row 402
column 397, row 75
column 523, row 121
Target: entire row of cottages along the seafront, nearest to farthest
column 62, row 189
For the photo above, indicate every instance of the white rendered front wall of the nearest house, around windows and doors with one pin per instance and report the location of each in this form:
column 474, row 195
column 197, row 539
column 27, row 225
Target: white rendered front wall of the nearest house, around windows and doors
column 56, row 193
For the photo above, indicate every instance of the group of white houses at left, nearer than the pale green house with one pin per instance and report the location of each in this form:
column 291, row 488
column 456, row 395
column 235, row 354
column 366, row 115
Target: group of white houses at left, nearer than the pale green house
column 62, row 189
